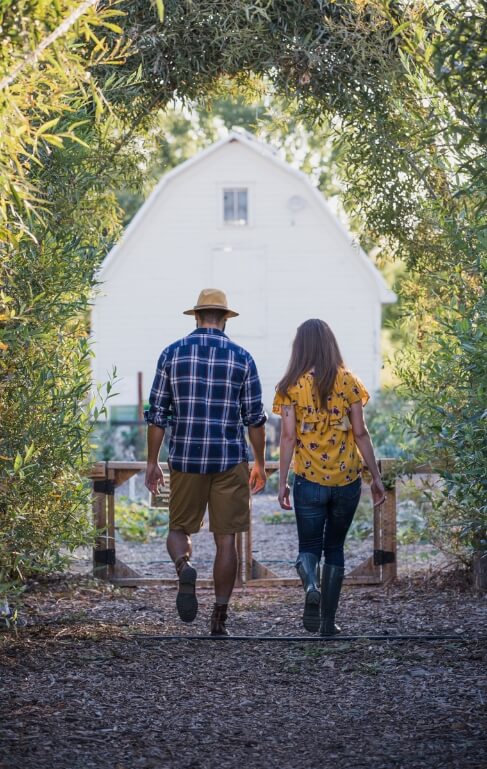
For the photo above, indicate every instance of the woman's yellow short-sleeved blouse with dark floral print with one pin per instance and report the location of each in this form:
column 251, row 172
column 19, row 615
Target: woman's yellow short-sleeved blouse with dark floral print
column 325, row 450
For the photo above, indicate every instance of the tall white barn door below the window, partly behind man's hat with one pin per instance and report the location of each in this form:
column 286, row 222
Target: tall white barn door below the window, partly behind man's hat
column 242, row 274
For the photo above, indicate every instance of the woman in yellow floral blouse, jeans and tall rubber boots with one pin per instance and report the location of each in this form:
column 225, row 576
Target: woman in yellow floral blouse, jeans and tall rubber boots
column 320, row 403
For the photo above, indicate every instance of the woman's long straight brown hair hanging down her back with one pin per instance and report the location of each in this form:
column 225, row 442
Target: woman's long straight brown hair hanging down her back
column 314, row 348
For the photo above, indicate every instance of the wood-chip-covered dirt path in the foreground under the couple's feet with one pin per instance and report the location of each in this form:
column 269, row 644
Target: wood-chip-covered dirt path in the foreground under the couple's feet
column 87, row 688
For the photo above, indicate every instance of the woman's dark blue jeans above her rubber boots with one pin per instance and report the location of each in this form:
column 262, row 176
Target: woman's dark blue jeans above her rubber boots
column 323, row 516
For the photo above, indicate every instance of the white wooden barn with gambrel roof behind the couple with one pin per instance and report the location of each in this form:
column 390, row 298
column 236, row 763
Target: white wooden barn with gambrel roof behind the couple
column 239, row 218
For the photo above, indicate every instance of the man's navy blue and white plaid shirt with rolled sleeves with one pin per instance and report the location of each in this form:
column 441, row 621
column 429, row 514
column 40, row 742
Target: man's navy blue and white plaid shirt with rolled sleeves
column 206, row 388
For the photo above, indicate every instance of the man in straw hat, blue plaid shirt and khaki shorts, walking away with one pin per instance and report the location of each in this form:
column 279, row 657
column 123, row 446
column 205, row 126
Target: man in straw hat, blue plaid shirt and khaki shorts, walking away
column 206, row 388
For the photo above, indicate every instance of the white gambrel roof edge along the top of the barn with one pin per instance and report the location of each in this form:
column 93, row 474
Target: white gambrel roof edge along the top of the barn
column 249, row 140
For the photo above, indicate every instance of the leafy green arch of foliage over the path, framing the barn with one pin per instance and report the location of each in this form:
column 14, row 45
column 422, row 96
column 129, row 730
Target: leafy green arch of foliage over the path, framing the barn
column 401, row 85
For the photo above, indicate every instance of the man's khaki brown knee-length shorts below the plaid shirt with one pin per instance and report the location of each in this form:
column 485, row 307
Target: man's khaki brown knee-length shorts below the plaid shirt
column 226, row 494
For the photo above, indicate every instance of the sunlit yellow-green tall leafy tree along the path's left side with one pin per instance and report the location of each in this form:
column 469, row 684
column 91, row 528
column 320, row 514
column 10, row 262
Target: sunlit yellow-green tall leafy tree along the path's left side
column 57, row 218
